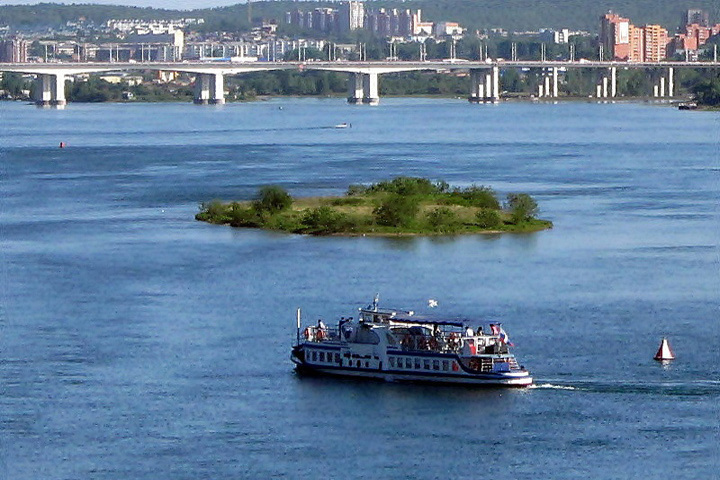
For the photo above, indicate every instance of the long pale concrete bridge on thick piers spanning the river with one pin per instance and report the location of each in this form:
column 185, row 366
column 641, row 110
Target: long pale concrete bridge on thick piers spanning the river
column 362, row 76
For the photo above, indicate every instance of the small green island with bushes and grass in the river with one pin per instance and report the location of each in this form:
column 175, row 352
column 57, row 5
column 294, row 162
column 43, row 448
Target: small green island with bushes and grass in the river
column 403, row 206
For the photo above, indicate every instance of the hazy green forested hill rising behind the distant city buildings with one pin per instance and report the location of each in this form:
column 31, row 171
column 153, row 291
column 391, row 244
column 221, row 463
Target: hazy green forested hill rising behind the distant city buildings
column 507, row 14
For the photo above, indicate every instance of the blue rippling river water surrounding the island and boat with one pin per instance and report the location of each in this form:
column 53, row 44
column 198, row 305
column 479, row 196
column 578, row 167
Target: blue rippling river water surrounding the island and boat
column 138, row 343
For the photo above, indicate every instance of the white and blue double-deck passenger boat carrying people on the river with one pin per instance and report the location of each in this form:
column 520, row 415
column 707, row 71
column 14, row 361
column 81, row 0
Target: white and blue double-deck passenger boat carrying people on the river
column 399, row 346
